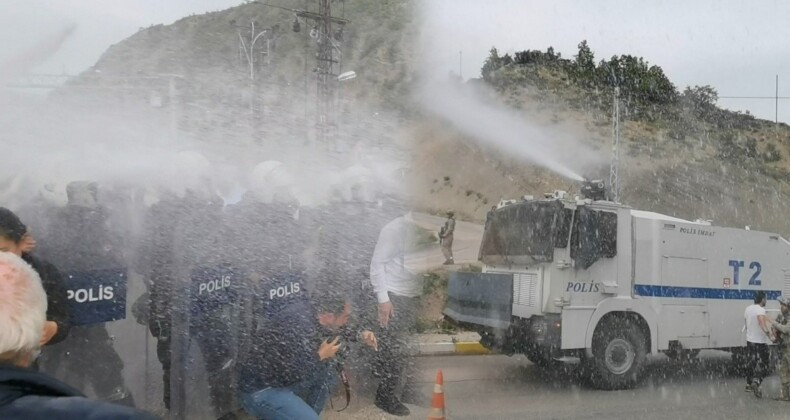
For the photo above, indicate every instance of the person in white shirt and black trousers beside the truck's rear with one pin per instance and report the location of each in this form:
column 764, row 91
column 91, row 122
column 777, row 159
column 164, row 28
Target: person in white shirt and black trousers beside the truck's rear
column 758, row 336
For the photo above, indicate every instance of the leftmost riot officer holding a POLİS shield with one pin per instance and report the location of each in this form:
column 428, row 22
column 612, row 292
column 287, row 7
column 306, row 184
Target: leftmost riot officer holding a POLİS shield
column 79, row 241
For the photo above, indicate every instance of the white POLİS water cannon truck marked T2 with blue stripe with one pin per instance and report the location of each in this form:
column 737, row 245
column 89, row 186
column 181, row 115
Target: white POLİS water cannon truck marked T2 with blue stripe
column 599, row 281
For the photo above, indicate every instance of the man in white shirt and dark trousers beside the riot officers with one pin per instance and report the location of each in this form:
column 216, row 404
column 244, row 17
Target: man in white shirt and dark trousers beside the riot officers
column 398, row 289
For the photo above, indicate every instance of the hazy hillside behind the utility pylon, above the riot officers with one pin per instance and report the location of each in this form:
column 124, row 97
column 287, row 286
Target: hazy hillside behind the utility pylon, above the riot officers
column 213, row 94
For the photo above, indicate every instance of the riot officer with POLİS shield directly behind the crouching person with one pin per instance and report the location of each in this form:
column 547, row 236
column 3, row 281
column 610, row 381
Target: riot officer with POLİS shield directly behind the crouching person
column 280, row 349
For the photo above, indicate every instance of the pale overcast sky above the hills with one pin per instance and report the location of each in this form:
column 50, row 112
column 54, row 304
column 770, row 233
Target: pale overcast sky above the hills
column 736, row 46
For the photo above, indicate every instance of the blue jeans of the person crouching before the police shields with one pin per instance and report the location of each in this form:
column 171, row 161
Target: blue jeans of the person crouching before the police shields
column 301, row 401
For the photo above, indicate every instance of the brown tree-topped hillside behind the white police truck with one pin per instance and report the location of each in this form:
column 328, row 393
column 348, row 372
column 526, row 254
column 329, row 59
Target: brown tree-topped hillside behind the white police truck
column 682, row 158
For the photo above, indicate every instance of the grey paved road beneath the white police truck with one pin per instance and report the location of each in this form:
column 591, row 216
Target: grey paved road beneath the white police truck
column 501, row 387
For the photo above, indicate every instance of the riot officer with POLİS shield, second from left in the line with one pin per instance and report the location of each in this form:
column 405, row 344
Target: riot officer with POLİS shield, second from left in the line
column 191, row 282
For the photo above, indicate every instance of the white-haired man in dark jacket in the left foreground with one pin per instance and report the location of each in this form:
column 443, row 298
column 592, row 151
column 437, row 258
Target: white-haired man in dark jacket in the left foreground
column 25, row 393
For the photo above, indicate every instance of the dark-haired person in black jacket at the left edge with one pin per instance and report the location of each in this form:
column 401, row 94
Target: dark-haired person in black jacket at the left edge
column 15, row 239
